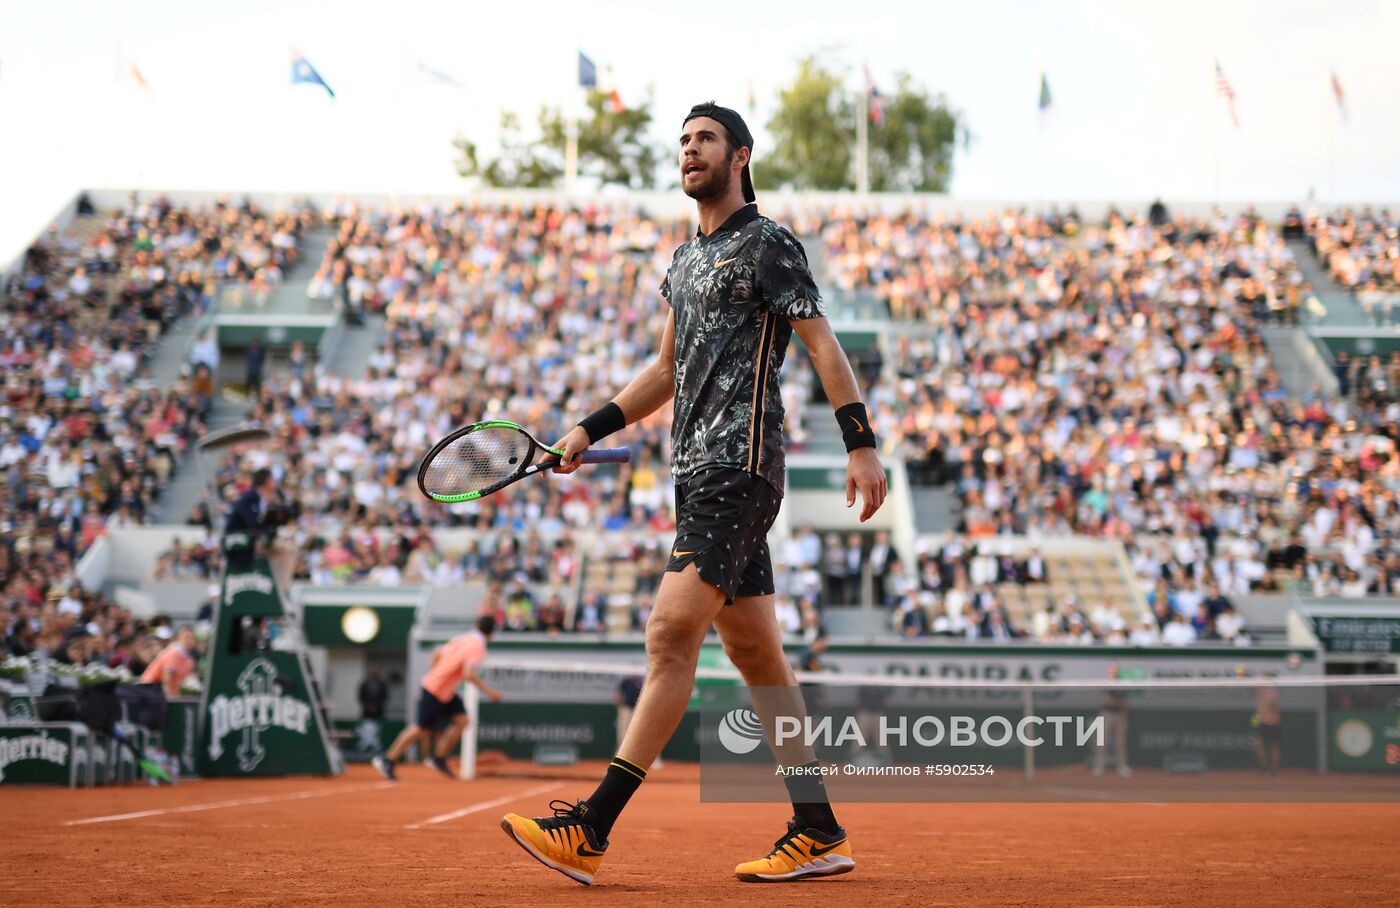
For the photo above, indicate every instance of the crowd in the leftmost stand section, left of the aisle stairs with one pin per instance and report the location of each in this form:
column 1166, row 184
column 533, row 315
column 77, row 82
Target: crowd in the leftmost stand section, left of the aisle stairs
column 87, row 437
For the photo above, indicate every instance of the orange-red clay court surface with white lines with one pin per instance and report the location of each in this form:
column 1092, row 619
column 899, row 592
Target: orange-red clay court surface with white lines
column 429, row 840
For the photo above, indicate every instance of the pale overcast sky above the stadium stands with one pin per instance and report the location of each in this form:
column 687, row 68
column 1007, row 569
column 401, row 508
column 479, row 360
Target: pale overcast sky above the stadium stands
column 1135, row 115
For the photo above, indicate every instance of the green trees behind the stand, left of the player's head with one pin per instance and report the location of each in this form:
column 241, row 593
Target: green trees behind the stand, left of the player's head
column 614, row 148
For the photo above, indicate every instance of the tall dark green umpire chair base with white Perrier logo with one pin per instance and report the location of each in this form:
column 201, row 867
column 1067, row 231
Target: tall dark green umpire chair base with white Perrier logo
column 261, row 710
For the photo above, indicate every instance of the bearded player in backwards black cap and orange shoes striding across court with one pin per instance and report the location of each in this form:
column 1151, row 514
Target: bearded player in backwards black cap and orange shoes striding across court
column 737, row 293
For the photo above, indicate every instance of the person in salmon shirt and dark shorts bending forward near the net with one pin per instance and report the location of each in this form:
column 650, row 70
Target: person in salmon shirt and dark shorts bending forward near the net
column 442, row 710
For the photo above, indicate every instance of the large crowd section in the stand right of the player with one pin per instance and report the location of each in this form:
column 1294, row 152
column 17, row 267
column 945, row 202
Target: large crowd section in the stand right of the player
column 1114, row 383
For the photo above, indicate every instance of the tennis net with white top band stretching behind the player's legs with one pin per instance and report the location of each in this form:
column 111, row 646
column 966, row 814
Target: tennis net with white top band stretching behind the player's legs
column 916, row 739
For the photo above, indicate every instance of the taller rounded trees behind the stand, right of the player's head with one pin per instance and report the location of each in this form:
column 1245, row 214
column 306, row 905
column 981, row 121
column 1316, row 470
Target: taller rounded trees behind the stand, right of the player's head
column 814, row 135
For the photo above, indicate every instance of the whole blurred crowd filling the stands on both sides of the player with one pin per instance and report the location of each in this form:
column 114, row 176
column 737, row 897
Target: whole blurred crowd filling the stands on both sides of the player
column 1105, row 380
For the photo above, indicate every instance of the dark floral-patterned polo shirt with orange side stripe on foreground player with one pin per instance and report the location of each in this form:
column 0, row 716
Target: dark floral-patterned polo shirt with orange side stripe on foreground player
column 734, row 295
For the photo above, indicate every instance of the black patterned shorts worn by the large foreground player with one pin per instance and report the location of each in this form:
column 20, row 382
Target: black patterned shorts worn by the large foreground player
column 723, row 520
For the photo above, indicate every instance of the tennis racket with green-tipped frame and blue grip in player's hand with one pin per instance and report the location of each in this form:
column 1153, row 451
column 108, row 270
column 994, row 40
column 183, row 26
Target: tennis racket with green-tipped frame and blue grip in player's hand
column 485, row 458
